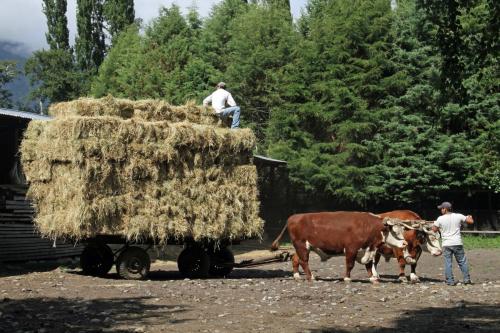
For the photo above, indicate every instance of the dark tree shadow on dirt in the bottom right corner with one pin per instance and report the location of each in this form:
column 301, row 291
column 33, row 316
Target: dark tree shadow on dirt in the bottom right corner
column 463, row 317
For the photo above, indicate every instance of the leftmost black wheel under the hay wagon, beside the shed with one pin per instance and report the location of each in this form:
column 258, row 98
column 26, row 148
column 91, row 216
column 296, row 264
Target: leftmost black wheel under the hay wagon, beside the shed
column 96, row 259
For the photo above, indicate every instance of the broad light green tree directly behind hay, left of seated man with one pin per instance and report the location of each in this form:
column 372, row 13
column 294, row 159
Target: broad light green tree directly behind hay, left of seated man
column 165, row 63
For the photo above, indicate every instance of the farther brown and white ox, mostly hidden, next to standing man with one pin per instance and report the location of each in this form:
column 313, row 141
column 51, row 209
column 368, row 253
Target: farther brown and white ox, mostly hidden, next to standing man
column 418, row 240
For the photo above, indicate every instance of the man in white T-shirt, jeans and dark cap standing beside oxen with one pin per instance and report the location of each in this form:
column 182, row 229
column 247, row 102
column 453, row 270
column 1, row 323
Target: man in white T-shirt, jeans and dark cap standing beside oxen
column 449, row 224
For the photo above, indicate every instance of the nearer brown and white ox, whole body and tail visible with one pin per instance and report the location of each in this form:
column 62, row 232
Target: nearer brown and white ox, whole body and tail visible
column 358, row 235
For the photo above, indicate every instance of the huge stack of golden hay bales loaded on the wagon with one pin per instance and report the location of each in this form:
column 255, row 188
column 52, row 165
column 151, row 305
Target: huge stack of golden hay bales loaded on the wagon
column 141, row 169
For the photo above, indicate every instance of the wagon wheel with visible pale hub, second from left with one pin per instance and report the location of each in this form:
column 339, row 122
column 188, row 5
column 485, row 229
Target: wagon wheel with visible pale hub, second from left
column 133, row 263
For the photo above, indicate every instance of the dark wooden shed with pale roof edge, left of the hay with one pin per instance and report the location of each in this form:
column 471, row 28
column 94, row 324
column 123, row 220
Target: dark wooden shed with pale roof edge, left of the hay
column 19, row 240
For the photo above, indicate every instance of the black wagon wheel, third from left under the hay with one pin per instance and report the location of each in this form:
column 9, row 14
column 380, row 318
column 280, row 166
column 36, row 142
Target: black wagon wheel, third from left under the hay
column 193, row 262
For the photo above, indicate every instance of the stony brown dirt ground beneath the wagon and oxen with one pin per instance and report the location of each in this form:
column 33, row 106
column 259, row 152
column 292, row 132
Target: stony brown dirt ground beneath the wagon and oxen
column 52, row 298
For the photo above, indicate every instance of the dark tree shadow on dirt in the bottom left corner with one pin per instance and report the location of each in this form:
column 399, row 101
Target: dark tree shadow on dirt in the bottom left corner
column 78, row 315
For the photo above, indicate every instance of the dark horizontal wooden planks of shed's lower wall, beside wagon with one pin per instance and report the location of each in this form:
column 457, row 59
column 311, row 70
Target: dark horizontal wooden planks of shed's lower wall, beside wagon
column 19, row 240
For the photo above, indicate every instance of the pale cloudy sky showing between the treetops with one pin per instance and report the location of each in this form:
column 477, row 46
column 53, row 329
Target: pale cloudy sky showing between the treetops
column 23, row 21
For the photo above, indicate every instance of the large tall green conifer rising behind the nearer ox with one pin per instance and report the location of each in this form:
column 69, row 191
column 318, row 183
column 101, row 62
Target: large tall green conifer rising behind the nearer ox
column 335, row 89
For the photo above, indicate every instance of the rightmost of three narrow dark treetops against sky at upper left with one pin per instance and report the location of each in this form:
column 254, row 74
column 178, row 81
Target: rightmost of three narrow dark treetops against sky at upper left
column 118, row 14
